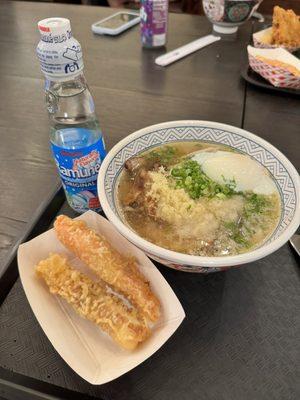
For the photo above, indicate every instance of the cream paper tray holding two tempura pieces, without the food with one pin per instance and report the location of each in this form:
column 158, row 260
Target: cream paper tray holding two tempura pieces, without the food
column 91, row 353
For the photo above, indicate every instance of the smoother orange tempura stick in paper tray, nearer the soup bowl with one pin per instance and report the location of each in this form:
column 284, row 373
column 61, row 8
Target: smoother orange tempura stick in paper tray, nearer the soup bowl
column 118, row 271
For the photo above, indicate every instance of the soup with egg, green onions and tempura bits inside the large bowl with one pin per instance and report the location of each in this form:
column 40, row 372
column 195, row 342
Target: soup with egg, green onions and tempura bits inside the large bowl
column 197, row 198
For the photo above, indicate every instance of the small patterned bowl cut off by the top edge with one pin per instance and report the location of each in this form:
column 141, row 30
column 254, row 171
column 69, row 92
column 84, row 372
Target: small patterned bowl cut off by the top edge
column 227, row 15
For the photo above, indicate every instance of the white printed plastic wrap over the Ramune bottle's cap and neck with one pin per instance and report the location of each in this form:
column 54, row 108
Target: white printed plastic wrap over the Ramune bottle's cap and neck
column 58, row 51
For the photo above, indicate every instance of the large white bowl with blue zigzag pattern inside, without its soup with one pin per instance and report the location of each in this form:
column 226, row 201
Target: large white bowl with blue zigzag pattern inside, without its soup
column 283, row 172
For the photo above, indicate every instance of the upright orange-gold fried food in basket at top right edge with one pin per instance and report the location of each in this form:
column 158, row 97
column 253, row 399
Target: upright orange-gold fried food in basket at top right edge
column 286, row 28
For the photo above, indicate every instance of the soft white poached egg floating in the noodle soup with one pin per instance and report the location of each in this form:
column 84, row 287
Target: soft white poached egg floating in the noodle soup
column 223, row 166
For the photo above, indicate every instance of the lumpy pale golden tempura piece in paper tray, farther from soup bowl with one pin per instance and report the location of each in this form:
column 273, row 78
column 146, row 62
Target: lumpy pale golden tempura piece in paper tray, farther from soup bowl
column 92, row 301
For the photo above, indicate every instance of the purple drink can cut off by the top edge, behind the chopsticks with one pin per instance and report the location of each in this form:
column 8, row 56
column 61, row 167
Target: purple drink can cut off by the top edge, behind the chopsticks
column 154, row 19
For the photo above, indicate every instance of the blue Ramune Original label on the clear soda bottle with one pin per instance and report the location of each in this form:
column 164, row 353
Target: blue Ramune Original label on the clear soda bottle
column 78, row 170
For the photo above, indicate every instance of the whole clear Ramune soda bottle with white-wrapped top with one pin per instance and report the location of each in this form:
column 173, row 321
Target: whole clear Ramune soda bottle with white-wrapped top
column 76, row 139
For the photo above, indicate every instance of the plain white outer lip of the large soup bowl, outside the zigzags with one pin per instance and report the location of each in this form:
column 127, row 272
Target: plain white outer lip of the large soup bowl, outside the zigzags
column 180, row 258
